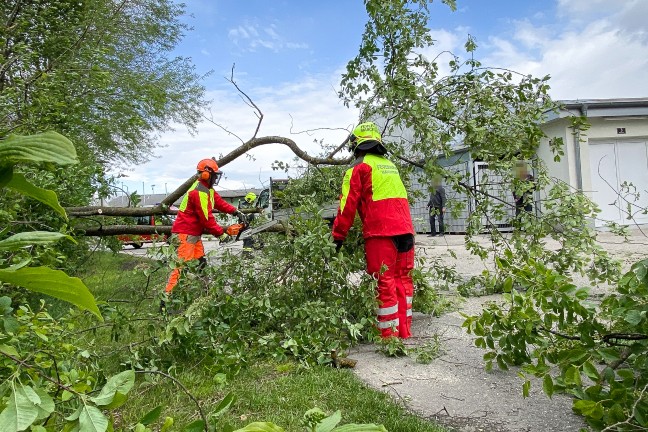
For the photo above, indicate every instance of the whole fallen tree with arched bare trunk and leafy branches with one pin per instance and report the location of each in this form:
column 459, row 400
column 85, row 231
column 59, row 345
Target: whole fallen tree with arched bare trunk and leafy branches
column 546, row 324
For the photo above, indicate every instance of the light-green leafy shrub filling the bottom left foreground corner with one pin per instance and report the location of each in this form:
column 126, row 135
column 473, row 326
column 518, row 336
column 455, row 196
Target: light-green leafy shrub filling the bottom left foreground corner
column 50, row 380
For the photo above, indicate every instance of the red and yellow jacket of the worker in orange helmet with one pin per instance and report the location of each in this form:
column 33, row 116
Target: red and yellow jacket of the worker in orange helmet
column 195, row 212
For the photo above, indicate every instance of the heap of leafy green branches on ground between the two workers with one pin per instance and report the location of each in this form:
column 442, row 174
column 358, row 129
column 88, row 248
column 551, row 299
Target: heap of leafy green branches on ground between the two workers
column 294, row 299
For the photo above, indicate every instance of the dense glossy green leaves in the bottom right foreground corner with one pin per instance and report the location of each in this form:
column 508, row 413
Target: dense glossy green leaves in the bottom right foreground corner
column 596, row 352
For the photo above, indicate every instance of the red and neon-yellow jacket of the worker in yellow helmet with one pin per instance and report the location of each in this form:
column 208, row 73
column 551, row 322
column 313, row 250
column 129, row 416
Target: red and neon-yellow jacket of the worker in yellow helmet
column 374, row 189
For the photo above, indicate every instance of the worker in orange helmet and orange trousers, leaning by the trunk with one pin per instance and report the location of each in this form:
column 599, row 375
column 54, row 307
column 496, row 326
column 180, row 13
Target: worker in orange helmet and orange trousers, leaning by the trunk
column 195, row 216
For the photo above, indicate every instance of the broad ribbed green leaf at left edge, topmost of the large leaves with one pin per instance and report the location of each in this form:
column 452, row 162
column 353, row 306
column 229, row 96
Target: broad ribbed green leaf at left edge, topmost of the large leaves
column 44, row 147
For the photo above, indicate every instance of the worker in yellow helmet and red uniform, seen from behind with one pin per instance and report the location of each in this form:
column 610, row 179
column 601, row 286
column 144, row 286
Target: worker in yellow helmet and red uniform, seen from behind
column 372, row 187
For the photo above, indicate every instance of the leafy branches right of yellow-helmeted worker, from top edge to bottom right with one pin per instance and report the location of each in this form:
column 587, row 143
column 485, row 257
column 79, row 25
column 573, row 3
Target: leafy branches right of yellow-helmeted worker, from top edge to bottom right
column 495, row 115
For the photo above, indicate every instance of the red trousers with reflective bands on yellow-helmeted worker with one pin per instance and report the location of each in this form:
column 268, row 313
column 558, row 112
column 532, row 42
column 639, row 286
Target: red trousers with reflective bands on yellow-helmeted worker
column 392, row 268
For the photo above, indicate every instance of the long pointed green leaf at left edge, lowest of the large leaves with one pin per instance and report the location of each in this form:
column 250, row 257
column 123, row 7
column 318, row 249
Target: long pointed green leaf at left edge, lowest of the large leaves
column 54, row 283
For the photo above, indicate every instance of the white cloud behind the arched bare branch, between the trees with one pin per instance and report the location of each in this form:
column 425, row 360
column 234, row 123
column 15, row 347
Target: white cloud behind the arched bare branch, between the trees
column 312, row 103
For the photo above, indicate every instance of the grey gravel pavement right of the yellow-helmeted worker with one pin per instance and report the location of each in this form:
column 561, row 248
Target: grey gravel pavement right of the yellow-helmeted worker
column 455, row 389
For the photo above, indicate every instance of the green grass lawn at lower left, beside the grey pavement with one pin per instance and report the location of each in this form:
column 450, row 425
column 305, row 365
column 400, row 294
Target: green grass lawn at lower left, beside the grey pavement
column 266, row 391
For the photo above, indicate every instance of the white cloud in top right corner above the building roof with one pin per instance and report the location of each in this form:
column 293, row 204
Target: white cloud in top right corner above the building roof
column 596, row 49
